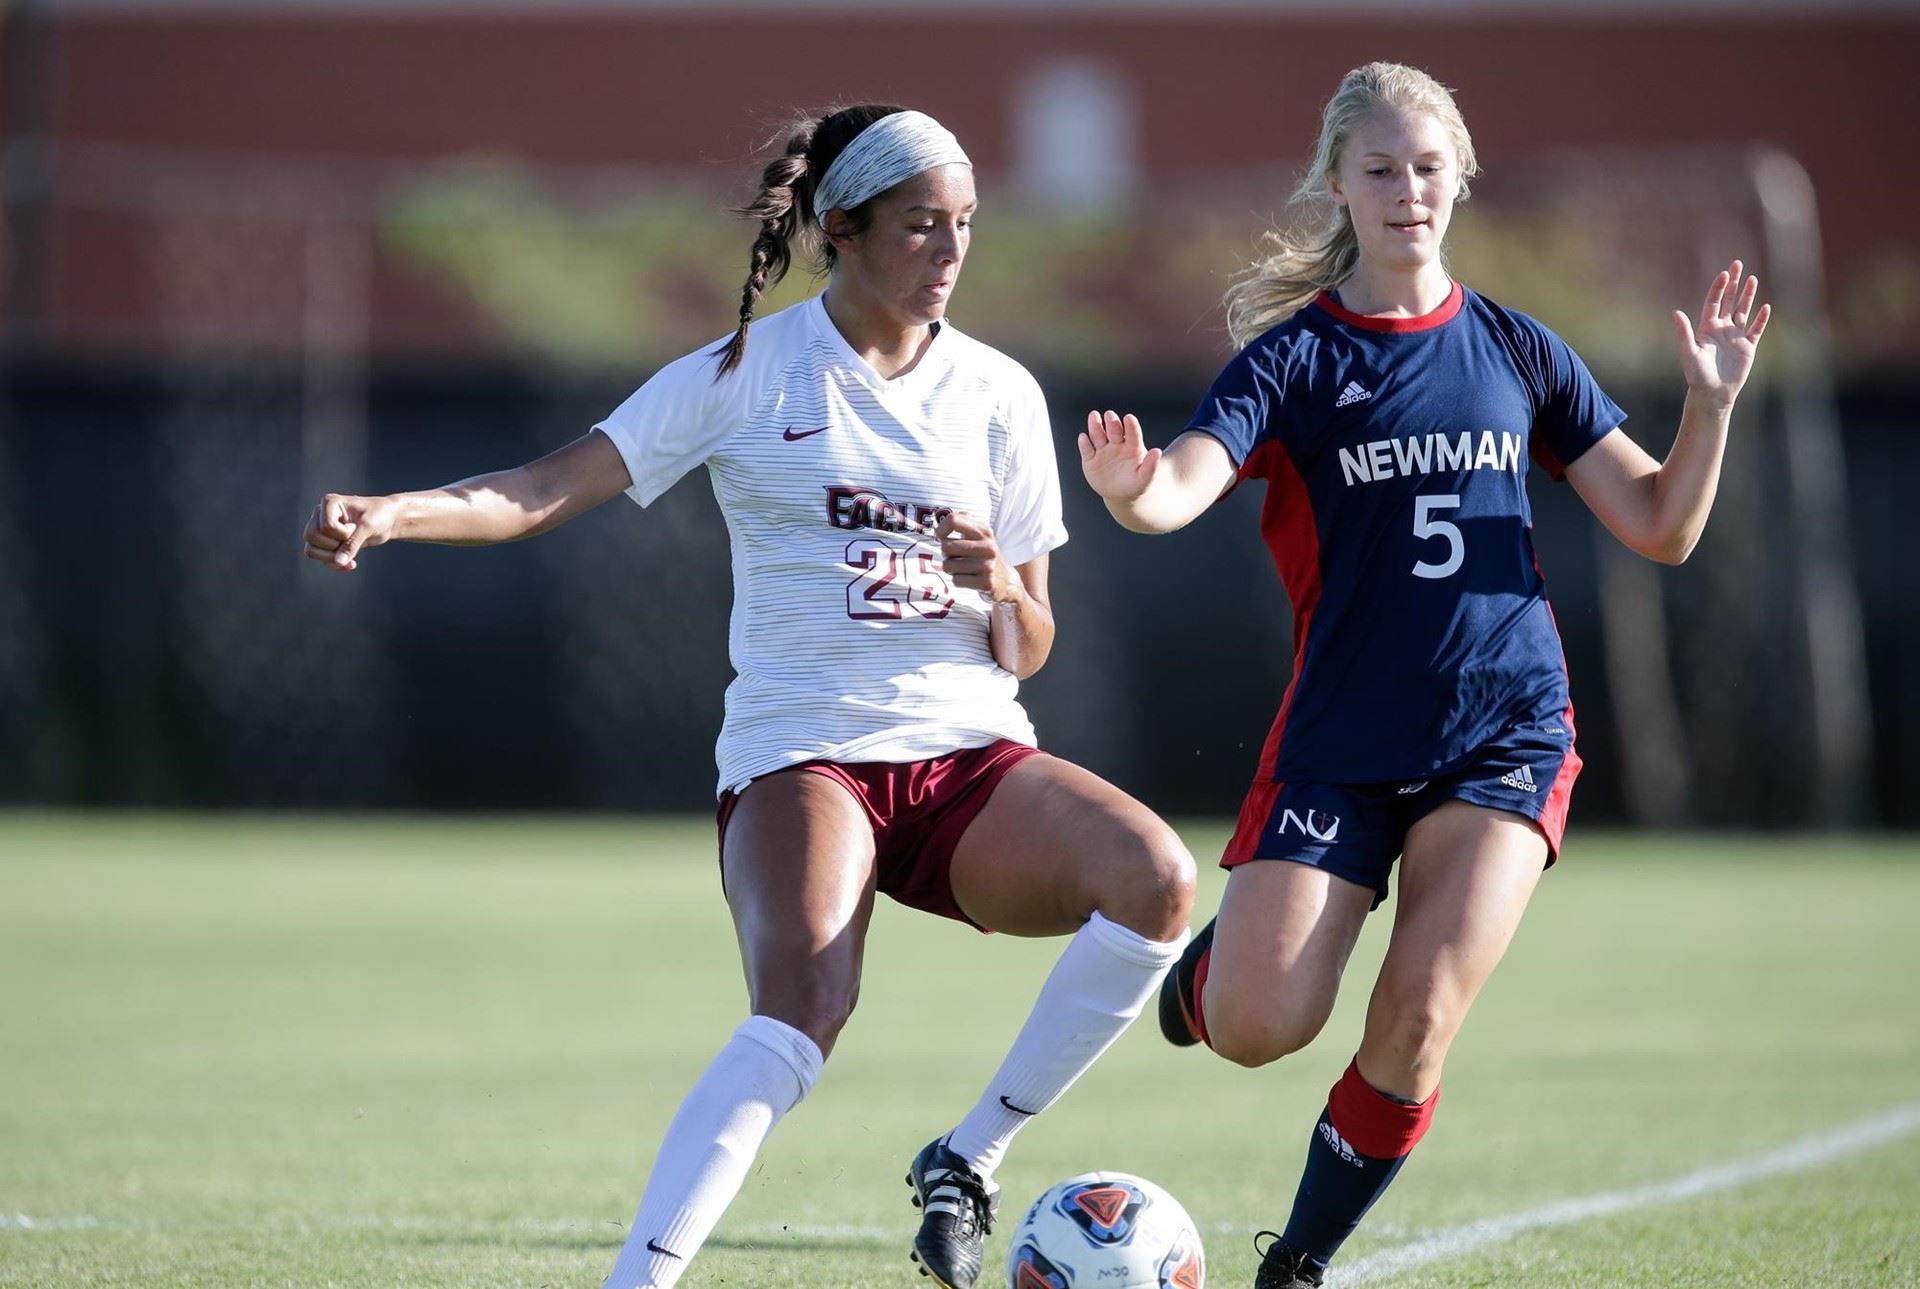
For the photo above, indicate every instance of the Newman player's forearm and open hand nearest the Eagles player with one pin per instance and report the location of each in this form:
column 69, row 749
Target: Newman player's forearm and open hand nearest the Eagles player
column 1147, row 489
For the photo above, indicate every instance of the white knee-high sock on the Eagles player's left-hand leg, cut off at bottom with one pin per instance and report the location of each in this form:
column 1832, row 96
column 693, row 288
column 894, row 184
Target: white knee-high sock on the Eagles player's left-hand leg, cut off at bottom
column 761, row 1075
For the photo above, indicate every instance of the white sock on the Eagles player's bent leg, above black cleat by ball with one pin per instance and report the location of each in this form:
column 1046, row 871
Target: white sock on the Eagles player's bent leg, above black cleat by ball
column 1093, row 994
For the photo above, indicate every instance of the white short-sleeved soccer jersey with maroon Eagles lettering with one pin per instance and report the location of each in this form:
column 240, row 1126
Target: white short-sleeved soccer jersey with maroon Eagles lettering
column 848, row 639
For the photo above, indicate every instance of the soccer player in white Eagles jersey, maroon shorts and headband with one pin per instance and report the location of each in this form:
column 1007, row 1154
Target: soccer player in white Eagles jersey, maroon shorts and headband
column 892, row 499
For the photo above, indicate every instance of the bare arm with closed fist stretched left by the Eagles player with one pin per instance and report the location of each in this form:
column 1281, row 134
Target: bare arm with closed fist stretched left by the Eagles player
column 475, row 512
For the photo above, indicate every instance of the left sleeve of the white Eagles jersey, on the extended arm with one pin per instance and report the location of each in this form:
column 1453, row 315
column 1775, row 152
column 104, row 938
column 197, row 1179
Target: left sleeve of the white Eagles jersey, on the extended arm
column 677, row 422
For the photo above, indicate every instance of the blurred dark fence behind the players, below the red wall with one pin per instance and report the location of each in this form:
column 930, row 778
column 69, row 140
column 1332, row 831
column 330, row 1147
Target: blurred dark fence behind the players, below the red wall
column 181, row 654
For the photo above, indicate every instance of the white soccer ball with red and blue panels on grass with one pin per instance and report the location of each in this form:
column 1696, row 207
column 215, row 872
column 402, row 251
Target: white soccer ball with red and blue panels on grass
column 1107, row 1230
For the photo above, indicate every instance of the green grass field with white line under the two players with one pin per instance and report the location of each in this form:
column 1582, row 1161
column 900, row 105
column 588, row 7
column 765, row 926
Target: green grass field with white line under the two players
column 441, row 1054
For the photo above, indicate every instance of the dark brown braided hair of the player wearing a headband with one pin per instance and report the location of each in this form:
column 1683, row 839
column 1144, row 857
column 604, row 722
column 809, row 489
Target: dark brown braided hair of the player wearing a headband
column 784, row 207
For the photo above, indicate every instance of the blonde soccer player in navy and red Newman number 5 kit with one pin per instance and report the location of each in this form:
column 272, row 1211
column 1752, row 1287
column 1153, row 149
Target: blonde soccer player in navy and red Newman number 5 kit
column 1393, row 414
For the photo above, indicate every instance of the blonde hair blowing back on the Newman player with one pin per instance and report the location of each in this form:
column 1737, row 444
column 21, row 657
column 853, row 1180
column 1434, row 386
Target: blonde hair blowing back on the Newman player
column 1303, row 264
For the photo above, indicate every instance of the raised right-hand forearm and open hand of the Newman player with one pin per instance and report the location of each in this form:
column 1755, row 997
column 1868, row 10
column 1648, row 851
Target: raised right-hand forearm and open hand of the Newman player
column 1660, row 510
